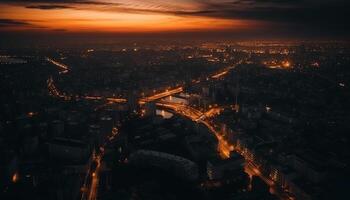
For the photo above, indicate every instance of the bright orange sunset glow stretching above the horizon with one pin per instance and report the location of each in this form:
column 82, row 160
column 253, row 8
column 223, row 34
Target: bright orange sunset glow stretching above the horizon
column 94, row 20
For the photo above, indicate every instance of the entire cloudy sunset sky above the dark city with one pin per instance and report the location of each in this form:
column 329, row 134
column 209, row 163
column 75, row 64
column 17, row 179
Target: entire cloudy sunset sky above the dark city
column 319, row 17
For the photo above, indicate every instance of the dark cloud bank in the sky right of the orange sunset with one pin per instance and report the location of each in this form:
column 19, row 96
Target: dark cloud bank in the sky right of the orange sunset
column 322, row 15
